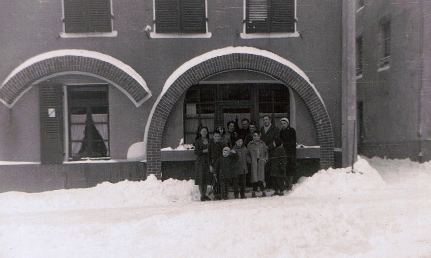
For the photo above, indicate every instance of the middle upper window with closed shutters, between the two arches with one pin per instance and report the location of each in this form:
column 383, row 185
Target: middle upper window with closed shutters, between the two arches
column 180, row 16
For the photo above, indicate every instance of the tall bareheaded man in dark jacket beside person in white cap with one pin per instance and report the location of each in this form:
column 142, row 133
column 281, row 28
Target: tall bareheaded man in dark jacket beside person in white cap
column 268, row 134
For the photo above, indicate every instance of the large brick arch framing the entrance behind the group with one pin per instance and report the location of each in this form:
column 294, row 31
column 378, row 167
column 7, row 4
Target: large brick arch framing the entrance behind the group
column 251, row 62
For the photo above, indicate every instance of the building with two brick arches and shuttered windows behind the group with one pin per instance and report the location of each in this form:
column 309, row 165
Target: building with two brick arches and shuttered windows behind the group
column 93, row 90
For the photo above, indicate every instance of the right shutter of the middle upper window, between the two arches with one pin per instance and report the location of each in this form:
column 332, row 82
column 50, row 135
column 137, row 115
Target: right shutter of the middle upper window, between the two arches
column 193, row 18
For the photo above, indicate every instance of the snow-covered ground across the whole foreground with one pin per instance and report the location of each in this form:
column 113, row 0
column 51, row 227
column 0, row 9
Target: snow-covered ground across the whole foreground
column 381, row 210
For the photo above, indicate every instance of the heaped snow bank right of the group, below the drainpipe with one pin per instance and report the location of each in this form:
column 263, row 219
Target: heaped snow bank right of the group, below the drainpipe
column 340, row 181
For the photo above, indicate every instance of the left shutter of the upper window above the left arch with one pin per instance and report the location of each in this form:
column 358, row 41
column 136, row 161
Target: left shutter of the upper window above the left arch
column 75, row 20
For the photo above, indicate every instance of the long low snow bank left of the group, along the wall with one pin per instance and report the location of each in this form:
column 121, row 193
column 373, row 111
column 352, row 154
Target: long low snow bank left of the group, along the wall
column 106, row 195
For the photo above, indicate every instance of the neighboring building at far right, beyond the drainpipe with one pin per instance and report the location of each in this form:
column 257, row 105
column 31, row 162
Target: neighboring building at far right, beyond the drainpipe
column 393, row 78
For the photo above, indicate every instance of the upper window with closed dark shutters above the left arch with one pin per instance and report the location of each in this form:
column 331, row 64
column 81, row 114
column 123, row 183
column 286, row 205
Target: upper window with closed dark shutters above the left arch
column 87, row 16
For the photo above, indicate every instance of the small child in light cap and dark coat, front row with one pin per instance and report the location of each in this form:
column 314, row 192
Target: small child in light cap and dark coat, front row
column 225, row 168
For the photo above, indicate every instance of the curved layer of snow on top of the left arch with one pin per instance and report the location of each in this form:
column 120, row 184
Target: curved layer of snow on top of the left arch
column 84, row 53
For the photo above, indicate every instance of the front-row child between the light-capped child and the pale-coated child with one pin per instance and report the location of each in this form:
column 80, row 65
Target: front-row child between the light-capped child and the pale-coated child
column 242, row 169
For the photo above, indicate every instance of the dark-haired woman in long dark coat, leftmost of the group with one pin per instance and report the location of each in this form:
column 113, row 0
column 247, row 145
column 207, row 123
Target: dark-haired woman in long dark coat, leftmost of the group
column 202, row 164
